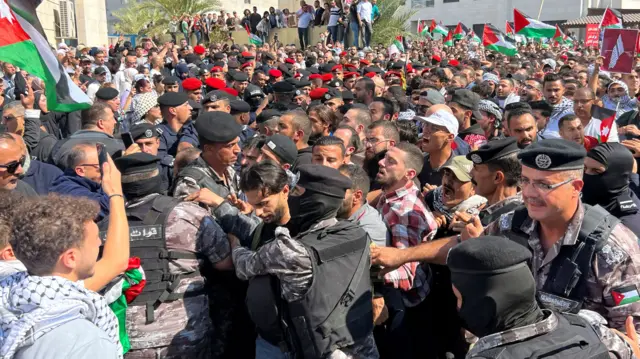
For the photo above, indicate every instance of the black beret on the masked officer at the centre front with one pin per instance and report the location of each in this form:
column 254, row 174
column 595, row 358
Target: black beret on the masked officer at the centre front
column 322, row 179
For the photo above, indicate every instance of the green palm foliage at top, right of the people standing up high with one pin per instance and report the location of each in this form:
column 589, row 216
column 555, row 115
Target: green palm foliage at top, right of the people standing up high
column 394, row 20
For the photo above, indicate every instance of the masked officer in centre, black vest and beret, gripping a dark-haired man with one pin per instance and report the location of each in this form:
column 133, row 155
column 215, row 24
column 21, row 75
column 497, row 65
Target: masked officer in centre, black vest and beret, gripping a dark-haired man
column 322, row 275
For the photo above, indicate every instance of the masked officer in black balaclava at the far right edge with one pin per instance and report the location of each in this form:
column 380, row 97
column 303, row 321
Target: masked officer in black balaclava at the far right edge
column 608, row 168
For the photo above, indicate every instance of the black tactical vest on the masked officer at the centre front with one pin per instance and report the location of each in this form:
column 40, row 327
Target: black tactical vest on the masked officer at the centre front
column 335, row 312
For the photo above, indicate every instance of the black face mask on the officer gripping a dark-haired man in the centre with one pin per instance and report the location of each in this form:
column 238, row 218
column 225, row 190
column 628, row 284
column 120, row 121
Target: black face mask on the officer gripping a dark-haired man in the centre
column 310, row 208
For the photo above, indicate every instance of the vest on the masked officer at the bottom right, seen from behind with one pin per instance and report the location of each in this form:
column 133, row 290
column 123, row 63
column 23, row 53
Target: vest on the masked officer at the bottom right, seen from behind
column 573, row 338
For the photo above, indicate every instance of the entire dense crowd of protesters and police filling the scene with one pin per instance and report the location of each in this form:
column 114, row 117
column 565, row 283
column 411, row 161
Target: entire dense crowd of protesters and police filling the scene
column 275, row 201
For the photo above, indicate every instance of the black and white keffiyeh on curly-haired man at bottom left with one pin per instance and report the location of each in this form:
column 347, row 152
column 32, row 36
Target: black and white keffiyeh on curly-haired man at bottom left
column 32, row 306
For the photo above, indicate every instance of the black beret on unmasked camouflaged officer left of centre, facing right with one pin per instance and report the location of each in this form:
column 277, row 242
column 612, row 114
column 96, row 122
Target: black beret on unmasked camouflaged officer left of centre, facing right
column 217, row 126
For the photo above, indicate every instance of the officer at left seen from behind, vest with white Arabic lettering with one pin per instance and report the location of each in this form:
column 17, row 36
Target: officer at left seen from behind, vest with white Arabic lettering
column 170, row 237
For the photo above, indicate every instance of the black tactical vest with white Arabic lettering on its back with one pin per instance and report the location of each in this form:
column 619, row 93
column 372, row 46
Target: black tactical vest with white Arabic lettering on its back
column 147, row 241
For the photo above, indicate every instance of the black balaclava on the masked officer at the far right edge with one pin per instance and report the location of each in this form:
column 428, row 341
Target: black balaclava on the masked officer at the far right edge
column 604, row 189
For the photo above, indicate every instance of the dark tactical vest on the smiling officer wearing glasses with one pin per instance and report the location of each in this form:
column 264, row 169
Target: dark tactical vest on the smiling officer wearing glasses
column 565, row 288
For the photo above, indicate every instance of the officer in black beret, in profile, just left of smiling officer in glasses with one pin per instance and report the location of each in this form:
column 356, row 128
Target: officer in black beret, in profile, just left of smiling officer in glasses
column 495, row 174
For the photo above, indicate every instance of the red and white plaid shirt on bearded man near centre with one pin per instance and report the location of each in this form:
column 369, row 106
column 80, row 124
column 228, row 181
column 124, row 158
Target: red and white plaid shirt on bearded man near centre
column 410, row 223
